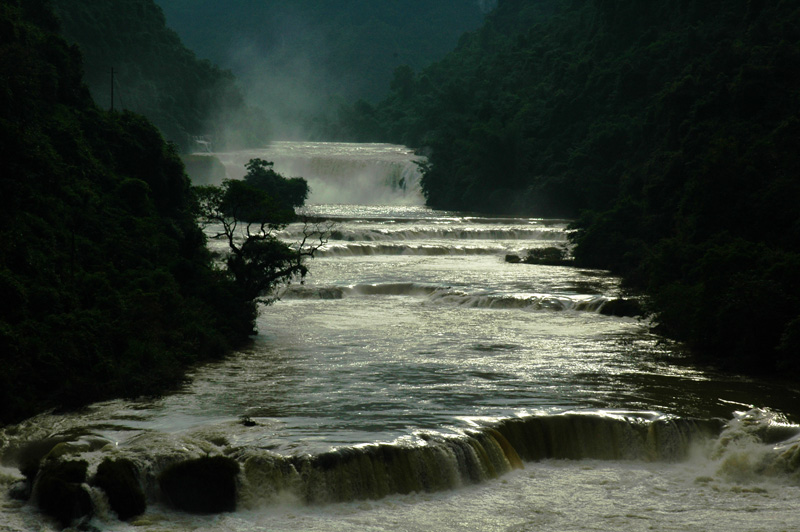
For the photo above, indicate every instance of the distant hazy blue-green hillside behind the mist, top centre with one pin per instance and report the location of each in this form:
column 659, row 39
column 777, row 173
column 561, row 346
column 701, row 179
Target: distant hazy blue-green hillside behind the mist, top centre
column 300, row 59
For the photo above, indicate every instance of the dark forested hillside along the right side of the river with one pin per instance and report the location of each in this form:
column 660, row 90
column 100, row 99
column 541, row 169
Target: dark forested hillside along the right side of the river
column 670, row 128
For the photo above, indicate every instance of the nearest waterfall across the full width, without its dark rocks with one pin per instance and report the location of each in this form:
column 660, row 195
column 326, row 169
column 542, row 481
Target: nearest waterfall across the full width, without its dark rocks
column 432, row 461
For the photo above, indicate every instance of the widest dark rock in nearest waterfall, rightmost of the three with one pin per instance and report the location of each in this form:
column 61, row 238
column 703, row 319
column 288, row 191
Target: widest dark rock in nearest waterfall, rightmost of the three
column 205, row 485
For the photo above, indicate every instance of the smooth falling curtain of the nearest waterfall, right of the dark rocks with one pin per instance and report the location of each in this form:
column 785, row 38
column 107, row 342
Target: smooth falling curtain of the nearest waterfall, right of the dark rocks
column 434, row 462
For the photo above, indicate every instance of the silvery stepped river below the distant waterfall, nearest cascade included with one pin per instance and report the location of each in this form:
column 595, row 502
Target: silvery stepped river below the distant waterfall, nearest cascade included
column 416, row 370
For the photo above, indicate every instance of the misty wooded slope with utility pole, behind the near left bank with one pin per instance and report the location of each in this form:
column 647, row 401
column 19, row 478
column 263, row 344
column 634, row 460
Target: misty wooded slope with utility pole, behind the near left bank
column 156, row 75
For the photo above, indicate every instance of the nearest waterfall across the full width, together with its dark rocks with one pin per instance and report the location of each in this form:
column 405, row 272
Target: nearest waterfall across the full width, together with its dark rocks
column 213, row 473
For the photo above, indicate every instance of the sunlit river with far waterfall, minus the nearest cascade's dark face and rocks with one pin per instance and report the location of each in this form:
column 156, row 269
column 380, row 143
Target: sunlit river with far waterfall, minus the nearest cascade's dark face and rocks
column 413, row 330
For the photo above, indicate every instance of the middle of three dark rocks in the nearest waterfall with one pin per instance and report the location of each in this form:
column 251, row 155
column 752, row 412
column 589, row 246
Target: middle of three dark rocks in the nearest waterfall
column 120, row 480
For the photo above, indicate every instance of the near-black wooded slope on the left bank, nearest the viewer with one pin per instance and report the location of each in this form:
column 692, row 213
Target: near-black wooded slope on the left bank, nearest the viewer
column 106, row 286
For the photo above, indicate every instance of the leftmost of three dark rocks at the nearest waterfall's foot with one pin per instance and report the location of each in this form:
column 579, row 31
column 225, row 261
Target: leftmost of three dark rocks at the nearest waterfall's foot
column 60, row 493
